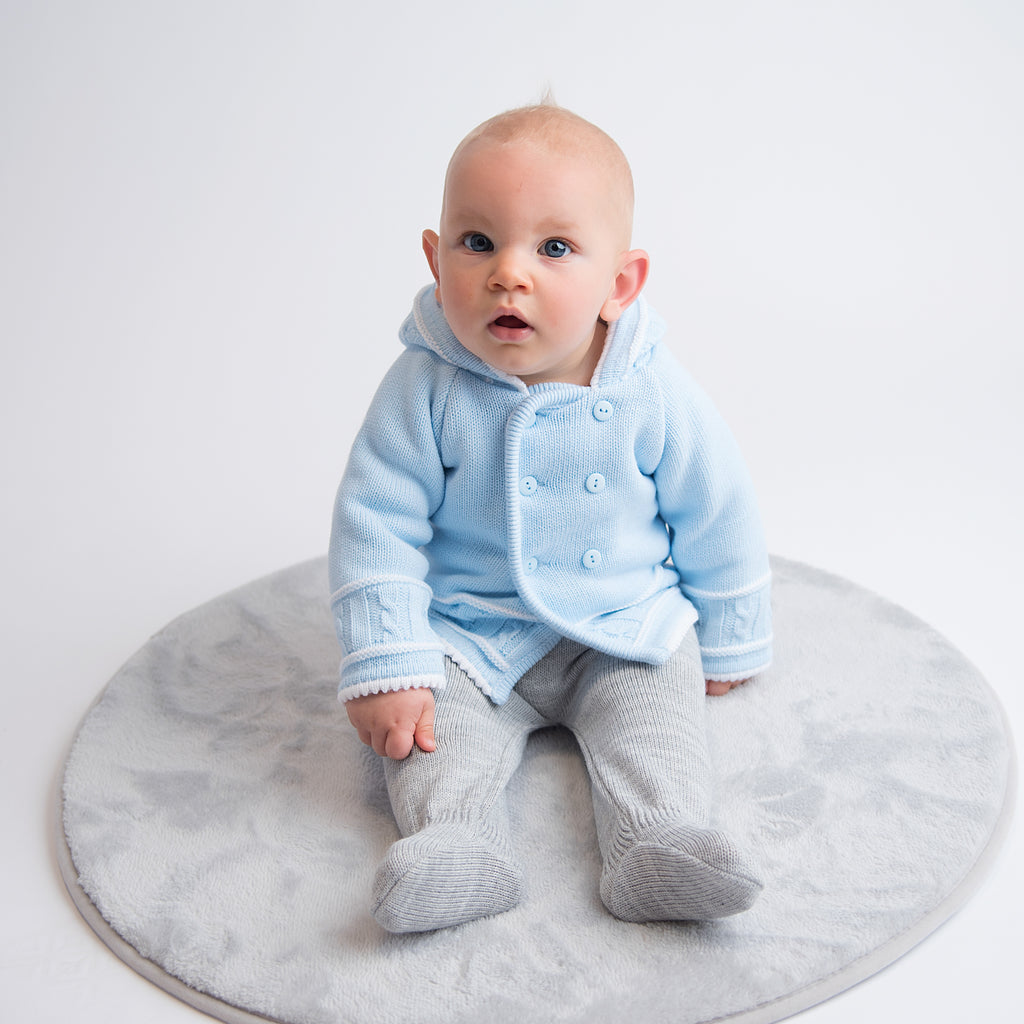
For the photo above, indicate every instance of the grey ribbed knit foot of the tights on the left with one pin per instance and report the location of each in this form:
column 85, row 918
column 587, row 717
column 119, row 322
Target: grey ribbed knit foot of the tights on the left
column 444, row 876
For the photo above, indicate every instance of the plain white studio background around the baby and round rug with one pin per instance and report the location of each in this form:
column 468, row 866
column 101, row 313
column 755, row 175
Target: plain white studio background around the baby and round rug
column 209, row 234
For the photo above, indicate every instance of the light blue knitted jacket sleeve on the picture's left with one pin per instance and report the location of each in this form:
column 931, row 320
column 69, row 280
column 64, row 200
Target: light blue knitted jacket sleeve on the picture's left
column 394, row 484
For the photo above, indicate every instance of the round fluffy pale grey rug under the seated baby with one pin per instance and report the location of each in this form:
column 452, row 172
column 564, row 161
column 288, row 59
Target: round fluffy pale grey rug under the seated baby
column 222, row 825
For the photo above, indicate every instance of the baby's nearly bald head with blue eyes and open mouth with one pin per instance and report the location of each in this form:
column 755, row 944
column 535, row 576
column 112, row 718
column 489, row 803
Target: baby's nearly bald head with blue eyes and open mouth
column 533, row 260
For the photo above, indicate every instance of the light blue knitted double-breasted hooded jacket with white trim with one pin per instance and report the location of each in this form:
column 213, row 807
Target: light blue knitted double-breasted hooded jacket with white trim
column 486, row 520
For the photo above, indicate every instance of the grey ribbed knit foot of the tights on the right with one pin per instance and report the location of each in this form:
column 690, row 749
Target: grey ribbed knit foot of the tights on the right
column 678, row 873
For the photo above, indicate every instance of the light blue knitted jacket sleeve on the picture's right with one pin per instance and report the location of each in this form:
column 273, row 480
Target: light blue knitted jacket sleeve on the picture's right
column 707, row 499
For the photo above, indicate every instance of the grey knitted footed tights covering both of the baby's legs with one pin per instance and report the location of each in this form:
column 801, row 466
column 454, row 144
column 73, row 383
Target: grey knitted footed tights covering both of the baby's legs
column 643, row 733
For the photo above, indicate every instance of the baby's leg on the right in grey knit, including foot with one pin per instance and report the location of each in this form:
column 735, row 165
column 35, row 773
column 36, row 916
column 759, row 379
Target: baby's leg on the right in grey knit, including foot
column 643, row 731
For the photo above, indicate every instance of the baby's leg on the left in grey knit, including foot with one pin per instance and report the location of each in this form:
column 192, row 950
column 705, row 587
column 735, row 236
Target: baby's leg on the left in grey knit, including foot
column 455, row 863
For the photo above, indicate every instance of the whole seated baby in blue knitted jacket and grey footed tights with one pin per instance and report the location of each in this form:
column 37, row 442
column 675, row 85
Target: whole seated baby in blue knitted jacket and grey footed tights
column 544, row 522
